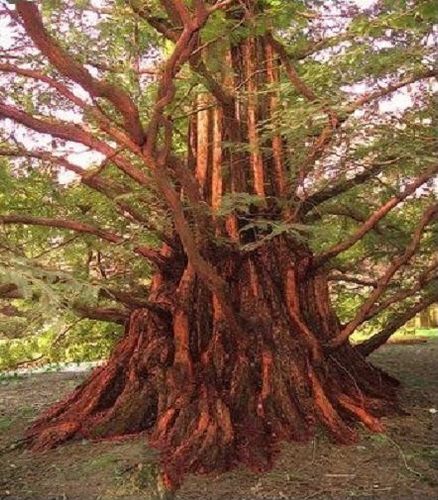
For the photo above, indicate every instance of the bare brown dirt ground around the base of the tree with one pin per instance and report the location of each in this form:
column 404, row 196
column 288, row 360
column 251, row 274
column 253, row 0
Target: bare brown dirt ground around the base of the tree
column 400, row 463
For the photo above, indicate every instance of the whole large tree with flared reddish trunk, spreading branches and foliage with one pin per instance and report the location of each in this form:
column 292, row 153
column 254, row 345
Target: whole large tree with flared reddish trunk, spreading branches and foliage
column 230, row 151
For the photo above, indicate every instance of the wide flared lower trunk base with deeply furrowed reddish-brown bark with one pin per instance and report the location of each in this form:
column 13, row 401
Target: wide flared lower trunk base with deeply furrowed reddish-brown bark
column 209, row 397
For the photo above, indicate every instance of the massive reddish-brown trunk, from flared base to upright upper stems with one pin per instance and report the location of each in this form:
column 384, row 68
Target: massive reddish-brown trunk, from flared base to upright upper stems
column 212, row 391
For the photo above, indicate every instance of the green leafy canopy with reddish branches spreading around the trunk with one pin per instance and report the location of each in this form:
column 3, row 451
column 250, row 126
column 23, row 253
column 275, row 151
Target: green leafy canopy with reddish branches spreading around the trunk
column 83, row 216
